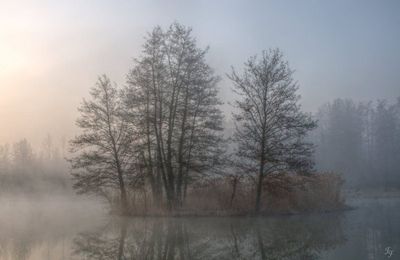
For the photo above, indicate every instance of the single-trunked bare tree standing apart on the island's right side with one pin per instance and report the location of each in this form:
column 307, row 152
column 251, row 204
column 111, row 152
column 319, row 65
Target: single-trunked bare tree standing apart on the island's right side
column 270, row 127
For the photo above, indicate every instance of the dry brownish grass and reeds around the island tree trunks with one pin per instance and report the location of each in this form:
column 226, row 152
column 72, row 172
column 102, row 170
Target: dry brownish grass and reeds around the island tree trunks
column 283, row 193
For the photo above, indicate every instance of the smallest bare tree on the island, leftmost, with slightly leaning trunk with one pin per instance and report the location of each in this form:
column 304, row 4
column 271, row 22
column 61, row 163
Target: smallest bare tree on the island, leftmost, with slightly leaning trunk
column 104, row 155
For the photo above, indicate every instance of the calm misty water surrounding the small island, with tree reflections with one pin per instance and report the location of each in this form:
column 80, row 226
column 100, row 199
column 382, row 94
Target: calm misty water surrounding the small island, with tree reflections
column 58, row 228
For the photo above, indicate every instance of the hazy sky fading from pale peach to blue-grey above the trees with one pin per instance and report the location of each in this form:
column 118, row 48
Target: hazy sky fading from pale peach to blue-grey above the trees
column 51, row 52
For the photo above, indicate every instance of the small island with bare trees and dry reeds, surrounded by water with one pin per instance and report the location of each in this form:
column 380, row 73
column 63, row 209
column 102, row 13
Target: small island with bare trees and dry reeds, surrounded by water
column 157, row 146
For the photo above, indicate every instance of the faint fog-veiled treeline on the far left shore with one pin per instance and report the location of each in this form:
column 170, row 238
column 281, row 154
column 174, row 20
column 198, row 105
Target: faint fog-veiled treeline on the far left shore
column 22, row 169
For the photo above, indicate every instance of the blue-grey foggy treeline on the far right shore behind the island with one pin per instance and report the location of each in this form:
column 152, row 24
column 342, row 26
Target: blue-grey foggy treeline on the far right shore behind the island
column 361, row 140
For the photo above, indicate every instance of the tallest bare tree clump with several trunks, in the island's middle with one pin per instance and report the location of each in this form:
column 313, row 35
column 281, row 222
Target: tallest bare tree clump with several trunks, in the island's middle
column 171, row 98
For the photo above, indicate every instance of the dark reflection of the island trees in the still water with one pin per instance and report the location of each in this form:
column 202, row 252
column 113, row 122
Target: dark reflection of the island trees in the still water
column 213, row 238
